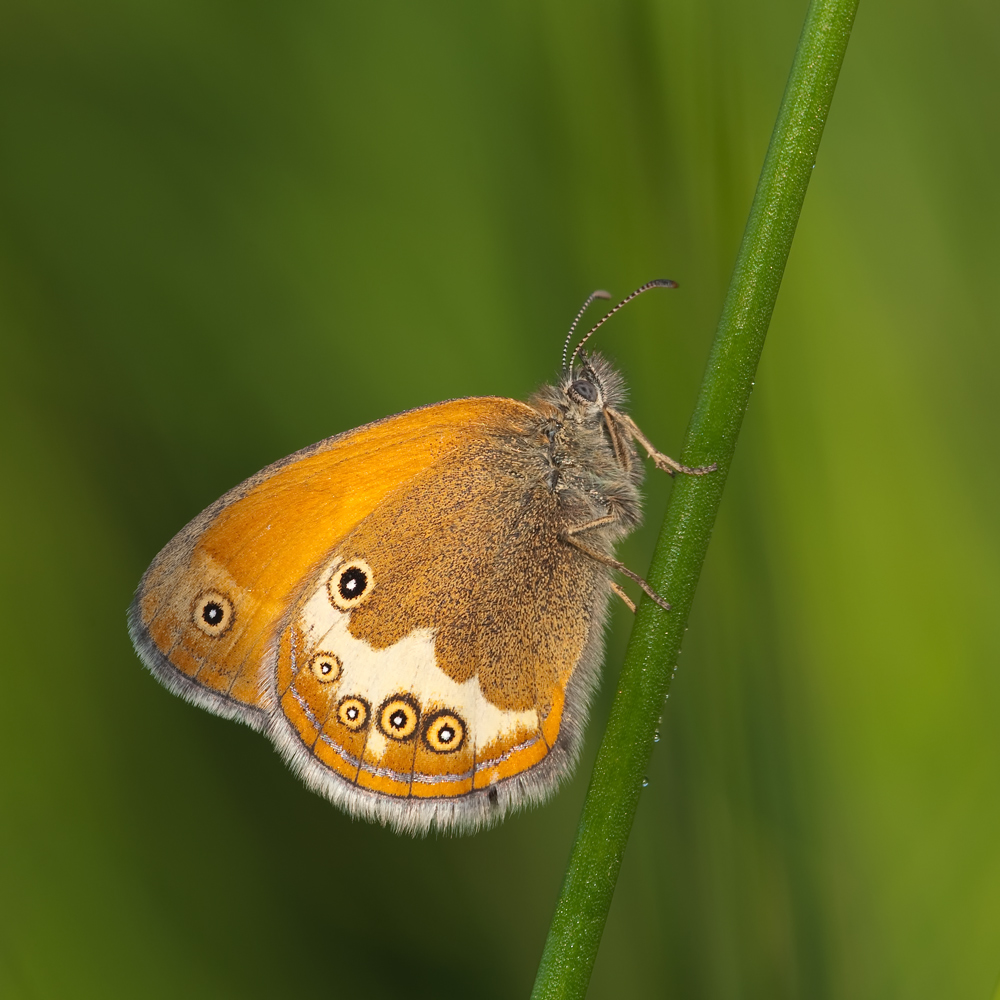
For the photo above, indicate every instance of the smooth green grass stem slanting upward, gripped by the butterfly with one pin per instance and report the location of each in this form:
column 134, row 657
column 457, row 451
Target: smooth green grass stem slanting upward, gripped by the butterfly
column 616, row 783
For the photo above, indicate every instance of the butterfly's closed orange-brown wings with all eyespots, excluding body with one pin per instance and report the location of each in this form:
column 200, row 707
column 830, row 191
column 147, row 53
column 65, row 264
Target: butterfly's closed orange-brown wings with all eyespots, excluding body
column 235, row 614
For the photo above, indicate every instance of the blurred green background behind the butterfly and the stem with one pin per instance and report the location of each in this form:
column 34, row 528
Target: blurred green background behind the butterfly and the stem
column 230, row 229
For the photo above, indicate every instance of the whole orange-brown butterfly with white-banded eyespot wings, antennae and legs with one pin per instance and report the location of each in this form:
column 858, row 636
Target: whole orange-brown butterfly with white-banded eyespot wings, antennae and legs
column 413, row 611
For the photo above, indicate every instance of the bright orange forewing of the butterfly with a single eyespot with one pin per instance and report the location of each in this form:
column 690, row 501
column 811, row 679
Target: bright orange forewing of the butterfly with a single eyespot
column 208, row 612
